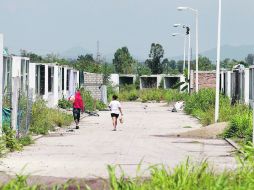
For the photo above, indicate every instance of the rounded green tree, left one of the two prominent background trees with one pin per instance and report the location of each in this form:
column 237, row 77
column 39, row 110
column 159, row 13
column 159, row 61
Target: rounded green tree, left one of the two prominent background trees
column 123, row 61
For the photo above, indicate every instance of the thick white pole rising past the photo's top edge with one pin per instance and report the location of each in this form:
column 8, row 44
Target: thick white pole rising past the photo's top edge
column 217, row 101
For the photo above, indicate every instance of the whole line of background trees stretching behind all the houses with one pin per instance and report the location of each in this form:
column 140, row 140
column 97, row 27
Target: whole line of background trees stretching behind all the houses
column 124, row 63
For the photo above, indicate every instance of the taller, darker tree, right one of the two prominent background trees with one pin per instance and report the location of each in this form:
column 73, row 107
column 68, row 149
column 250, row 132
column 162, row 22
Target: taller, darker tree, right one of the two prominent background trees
column 155, row 56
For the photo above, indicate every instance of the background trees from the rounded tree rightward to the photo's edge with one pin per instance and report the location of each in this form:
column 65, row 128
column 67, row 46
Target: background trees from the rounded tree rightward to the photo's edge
column 124, row 63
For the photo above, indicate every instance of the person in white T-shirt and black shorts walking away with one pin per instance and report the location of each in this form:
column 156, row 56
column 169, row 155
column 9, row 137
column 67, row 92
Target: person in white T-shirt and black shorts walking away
column 116, row 110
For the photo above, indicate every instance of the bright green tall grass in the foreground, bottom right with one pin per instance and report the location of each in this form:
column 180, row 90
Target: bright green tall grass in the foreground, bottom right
column 189, row 176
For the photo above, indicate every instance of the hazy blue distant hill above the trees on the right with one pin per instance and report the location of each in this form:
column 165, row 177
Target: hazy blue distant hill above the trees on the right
column 227, row 51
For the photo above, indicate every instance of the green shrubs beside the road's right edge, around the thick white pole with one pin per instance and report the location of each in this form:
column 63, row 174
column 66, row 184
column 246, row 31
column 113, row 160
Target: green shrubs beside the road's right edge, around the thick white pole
column 202, row 106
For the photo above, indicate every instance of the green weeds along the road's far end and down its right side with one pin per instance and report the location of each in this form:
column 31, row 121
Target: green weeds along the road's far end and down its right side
column 202, row 106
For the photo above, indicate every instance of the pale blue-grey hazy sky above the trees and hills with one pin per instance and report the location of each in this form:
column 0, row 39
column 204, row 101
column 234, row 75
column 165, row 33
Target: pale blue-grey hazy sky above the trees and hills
column 46, row 26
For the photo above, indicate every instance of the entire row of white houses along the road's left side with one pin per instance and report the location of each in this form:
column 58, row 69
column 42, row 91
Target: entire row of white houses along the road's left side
column 49, row 81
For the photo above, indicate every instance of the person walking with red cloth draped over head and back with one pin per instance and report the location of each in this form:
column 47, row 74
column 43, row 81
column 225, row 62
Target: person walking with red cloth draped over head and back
column 78, row 106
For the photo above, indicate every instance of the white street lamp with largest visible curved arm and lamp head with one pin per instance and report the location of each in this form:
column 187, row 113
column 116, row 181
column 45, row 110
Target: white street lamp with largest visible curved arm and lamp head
column 197, row 46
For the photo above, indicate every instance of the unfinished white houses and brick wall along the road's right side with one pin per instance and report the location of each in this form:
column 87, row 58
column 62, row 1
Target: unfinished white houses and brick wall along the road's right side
column 237, row 84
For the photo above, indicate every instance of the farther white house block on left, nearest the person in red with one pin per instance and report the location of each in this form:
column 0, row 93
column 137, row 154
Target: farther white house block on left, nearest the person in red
column 52, row 82
